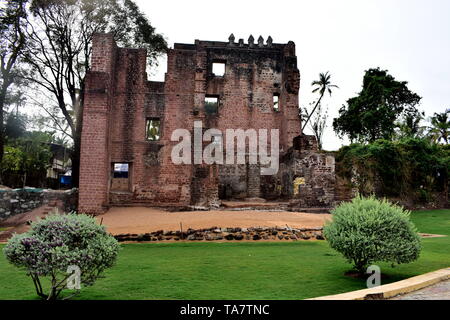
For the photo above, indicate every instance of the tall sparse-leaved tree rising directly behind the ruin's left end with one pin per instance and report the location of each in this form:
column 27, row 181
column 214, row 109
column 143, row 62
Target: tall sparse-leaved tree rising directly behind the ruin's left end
column 60, row 36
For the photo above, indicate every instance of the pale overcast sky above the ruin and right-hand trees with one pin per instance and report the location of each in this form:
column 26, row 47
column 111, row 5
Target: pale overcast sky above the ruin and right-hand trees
column 410, row 38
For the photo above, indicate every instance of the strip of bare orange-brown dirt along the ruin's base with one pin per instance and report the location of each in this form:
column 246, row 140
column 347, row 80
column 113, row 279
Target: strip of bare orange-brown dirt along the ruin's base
column 143, row 220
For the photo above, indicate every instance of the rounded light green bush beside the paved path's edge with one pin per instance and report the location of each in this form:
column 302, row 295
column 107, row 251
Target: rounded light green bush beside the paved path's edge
column 368, row 230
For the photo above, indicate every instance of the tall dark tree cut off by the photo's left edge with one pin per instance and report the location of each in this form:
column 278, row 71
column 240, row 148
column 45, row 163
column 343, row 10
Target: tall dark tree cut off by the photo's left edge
column 12, row 42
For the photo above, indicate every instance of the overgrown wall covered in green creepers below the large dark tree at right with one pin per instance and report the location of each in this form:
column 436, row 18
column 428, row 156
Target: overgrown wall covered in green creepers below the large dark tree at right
column 410, row 168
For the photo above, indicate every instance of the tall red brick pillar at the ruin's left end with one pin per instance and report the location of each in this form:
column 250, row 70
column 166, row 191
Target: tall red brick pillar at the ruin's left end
column 95, row 158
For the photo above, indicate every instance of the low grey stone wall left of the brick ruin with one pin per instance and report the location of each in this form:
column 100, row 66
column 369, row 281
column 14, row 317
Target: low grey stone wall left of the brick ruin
column 13, row 202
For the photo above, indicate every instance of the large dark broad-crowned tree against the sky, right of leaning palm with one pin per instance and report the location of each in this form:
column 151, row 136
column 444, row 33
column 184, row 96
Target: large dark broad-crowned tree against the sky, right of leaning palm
column 373, row 113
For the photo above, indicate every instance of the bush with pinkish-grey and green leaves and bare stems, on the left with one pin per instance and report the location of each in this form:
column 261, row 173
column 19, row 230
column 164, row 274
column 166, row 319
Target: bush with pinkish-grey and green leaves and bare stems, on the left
column 58, row 242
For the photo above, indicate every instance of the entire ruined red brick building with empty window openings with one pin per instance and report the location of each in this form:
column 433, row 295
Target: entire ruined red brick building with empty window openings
column 128, row 122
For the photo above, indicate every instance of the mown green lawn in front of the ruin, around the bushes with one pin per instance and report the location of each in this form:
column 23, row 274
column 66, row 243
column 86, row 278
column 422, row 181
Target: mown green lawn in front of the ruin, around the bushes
column 291, row 270
